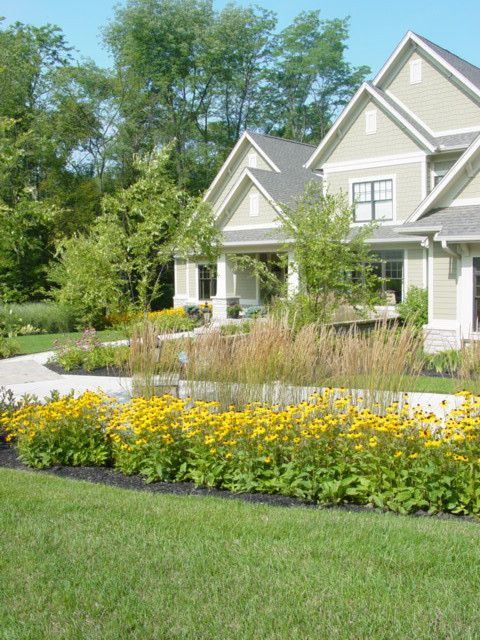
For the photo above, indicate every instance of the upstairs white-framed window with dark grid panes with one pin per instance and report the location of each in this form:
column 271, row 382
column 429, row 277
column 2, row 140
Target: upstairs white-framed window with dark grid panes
column 373, row 200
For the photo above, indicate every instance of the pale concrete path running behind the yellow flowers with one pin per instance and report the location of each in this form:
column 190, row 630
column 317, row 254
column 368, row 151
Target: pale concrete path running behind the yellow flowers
column 27, row 375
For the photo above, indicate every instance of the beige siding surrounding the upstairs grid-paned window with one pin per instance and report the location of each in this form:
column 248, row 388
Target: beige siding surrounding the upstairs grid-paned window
column 408, row 184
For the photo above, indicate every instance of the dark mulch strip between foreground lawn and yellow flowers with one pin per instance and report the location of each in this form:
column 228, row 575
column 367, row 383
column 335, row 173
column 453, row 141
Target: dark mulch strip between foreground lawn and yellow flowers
column 111, row 477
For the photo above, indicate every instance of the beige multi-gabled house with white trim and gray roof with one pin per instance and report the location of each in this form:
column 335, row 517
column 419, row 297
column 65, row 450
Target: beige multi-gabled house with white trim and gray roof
column 406, row 150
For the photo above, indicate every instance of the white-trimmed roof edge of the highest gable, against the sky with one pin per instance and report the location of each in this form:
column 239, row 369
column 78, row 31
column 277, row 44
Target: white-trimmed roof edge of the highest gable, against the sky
column 465, row 72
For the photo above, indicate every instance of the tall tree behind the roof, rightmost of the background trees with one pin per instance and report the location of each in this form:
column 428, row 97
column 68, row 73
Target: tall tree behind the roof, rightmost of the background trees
column 310, row 80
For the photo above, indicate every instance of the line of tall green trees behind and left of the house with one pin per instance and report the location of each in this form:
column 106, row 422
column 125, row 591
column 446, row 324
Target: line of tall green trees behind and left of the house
column 183, row 76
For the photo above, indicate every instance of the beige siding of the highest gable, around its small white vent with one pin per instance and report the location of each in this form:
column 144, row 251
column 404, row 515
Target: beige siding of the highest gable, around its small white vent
column 437, row 101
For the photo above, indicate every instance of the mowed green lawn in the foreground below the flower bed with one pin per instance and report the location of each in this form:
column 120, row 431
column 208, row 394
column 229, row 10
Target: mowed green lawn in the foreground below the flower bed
column 83, row 561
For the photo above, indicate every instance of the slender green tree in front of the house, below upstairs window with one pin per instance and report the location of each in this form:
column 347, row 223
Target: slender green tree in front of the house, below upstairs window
column 333, row 262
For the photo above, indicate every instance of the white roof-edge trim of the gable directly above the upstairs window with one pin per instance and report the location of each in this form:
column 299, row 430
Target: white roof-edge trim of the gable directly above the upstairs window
column 367, row 89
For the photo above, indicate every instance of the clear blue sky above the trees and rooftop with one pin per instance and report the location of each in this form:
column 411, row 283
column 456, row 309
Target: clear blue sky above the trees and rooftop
column 376, row 25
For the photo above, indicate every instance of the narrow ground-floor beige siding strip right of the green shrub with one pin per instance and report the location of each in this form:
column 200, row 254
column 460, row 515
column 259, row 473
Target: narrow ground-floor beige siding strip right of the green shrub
column 444, row 285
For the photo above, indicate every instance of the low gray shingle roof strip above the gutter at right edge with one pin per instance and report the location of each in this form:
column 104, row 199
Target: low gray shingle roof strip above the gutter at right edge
column 450, row 222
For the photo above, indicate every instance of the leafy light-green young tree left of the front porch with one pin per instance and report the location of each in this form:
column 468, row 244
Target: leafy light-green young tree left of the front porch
column 122, row 262
